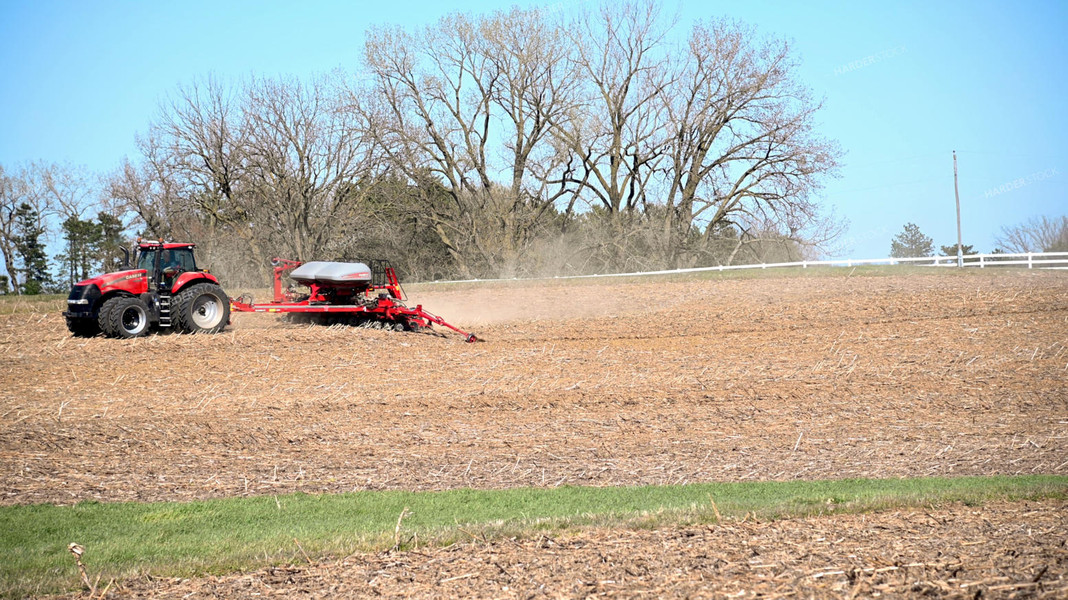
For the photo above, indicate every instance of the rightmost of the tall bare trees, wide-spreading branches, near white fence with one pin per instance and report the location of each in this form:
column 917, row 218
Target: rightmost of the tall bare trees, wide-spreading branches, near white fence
column 742, row 146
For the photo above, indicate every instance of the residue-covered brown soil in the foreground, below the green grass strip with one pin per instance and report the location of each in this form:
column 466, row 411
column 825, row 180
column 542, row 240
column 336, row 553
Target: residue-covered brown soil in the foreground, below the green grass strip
column 1002, row 551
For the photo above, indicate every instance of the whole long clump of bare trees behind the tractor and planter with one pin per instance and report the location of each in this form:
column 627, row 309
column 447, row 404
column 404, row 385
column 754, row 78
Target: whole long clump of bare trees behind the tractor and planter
column 595, row 140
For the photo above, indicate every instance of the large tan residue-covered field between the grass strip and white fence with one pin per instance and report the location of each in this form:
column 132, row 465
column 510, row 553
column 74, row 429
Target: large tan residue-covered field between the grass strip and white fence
column 591, row 383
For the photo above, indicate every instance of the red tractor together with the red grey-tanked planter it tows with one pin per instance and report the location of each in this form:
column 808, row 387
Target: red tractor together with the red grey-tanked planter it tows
column 167, row 291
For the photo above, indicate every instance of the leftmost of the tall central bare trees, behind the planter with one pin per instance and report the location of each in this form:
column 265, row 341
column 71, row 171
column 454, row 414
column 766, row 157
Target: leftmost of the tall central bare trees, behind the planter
column 435, row 117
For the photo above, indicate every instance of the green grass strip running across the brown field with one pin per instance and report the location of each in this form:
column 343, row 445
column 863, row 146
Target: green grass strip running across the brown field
column 216, row 536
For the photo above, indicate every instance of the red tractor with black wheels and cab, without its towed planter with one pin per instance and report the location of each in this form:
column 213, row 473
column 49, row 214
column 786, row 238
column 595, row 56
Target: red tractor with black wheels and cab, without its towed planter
column 166, row 291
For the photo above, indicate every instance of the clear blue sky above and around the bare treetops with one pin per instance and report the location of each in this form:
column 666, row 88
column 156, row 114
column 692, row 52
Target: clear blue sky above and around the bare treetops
column 904, row 85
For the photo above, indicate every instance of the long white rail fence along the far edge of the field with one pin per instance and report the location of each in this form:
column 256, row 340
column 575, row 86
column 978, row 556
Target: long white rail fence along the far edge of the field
column 1030, row 260
